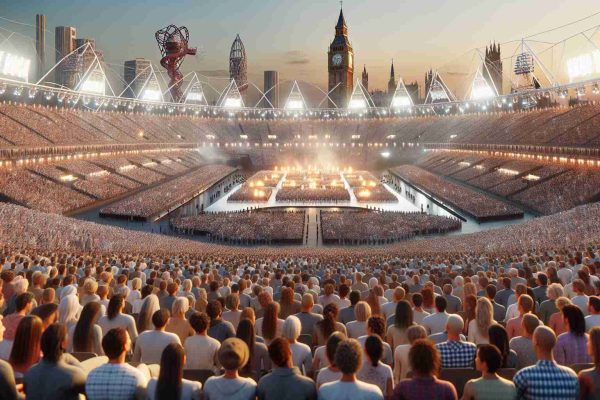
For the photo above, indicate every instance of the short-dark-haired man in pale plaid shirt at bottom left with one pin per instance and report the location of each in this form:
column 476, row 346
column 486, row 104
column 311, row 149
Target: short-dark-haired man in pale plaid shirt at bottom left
column 116, row 379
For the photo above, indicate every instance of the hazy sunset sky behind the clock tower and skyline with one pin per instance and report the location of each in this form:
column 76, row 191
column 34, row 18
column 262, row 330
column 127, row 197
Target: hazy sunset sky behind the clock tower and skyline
column 281, row 40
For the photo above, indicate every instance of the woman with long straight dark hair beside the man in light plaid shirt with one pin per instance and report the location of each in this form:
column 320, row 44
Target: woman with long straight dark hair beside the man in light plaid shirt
column 170, row 383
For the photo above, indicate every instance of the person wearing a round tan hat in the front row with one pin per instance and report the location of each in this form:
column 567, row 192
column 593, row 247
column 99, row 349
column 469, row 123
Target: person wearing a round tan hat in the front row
column 233, row 356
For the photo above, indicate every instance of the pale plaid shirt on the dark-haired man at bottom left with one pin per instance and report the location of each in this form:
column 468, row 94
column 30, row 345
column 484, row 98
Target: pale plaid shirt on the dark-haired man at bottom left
column 114, row 382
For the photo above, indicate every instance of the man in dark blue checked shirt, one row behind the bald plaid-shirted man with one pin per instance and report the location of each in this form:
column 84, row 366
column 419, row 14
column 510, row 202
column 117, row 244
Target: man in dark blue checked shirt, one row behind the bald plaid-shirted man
column 455, row 353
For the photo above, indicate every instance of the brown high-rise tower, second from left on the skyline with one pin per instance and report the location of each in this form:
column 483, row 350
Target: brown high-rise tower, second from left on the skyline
column 64, row 40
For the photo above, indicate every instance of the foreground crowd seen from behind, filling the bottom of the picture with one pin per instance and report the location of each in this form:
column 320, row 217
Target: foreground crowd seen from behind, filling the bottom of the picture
column 124, row 326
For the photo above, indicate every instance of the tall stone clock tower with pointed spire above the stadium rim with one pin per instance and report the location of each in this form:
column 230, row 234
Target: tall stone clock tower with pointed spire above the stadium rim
column 340, row 61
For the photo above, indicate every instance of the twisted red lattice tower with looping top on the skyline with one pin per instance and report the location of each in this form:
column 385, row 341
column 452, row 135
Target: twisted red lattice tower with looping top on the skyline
column 173, row 44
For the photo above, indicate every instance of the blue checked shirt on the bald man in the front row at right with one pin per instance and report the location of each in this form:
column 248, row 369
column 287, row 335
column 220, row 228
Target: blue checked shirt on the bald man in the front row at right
column 546, row 380
